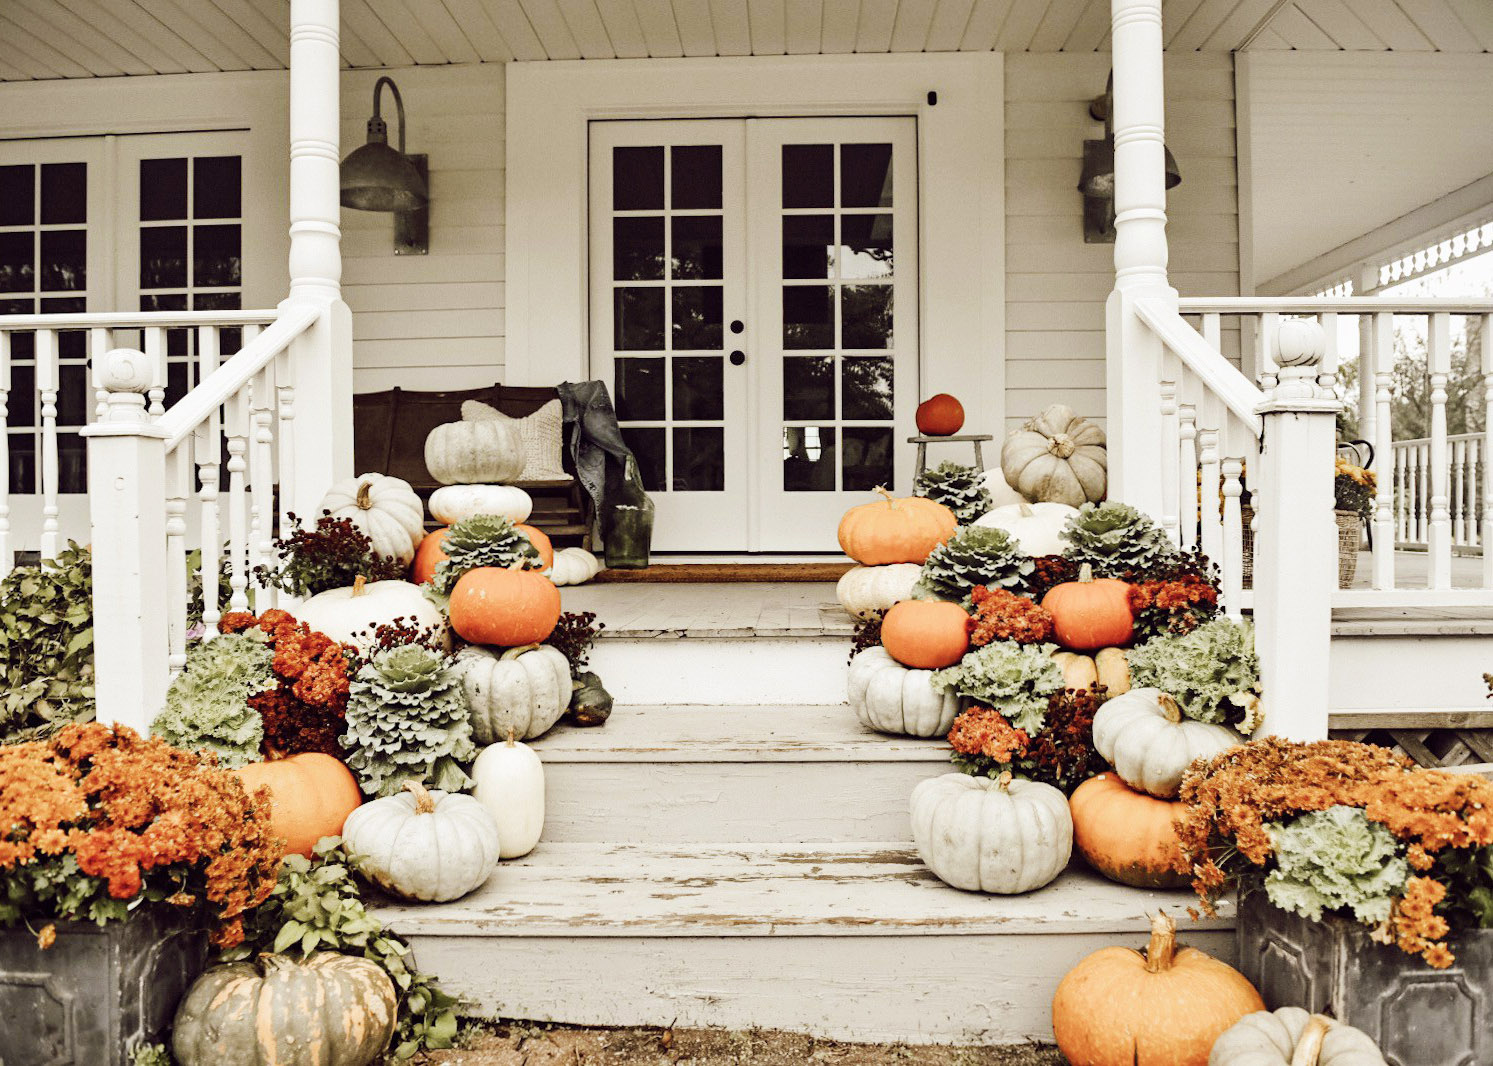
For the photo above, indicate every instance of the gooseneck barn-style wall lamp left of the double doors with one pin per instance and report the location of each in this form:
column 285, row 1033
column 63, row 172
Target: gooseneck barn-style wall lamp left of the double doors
column 380, row 178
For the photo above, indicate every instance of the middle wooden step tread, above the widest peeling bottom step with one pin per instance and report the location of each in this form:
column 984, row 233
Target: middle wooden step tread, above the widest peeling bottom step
column 735, row 735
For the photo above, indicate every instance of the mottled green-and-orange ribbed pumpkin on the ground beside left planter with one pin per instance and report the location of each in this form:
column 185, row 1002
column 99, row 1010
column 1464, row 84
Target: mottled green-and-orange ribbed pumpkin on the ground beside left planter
column 323, row 1010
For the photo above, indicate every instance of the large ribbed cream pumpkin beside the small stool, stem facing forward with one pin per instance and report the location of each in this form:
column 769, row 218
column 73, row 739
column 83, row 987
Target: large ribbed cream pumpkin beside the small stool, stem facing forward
column 1058, row 458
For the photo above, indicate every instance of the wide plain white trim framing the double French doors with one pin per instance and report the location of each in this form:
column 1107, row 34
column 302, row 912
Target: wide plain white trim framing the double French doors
column 961, row 180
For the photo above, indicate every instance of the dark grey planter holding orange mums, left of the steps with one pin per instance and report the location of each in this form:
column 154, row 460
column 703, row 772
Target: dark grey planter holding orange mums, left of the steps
column 98, row 994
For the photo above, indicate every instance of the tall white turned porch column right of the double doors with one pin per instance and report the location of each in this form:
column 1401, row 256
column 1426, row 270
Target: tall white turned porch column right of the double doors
column 1134, row 353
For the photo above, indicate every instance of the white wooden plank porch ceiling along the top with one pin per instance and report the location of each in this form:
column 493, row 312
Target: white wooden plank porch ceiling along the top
column 50, row 40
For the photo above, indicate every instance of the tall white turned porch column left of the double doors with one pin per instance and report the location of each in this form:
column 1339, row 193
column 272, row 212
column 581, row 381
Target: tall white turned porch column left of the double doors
column 322, row 359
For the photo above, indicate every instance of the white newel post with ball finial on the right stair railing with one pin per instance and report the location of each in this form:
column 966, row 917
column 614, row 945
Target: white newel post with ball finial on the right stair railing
column 1297, row 538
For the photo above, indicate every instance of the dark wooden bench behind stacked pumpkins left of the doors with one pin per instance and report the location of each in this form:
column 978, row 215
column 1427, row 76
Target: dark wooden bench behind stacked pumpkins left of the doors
column 389, row 437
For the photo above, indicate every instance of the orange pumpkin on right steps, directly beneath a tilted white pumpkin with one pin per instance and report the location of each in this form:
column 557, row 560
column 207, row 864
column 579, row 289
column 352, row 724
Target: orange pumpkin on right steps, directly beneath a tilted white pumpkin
column 1126, row 835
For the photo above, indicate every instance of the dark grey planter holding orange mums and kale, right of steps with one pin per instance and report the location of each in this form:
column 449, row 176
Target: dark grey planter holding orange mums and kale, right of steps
column 1418, row 1016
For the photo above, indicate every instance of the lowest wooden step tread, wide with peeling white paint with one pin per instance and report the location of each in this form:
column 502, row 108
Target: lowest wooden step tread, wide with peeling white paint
column 607, row 891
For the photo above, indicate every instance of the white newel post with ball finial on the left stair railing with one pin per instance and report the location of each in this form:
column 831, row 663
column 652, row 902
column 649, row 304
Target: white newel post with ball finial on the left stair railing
column 128, row 516
